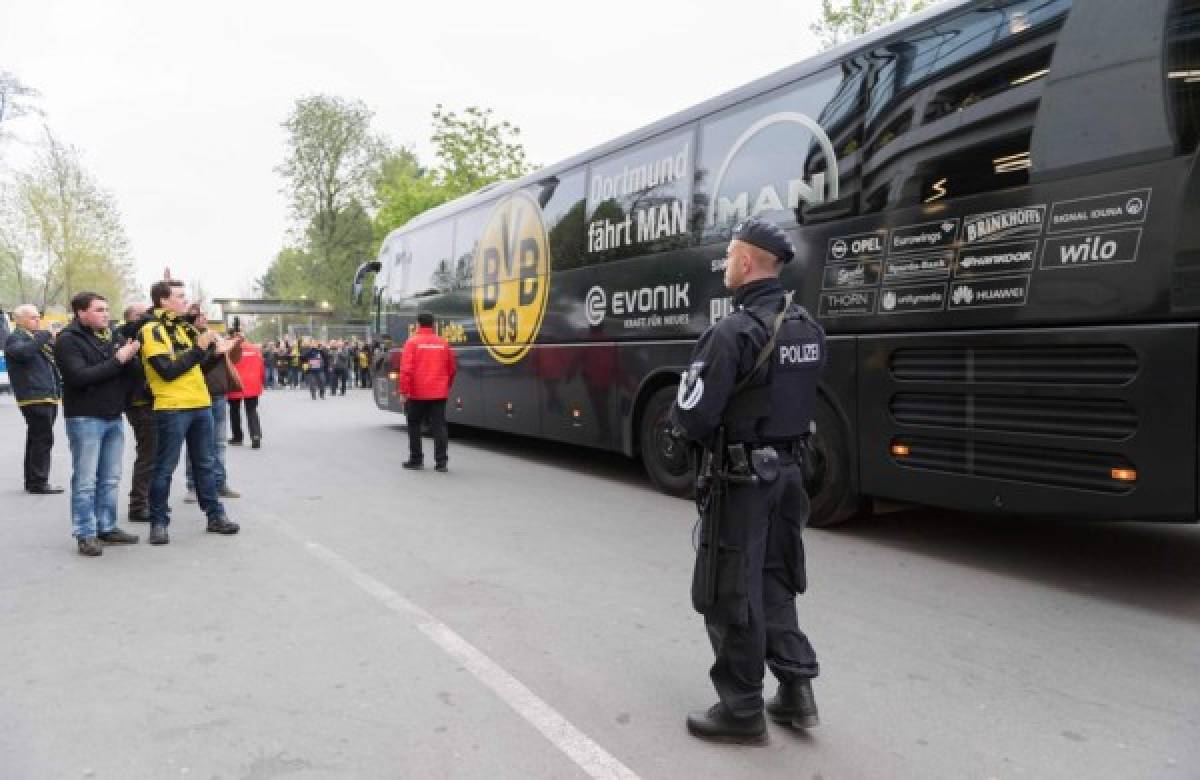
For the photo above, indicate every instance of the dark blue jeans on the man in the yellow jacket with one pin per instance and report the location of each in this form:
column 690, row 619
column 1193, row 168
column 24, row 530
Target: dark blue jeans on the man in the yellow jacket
column 194, row 427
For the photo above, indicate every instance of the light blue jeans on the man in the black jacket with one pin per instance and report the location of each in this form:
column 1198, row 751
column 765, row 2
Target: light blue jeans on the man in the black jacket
column 97, row 447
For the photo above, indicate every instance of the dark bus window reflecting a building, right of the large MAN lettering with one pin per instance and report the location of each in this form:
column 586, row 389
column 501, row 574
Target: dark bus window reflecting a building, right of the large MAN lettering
column 952, row 107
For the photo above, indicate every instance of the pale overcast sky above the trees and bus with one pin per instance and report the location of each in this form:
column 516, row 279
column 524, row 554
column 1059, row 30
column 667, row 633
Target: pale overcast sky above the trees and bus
column 177, row 112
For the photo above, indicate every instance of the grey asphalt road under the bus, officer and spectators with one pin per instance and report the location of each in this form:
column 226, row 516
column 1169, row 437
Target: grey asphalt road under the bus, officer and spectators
column 527, row 616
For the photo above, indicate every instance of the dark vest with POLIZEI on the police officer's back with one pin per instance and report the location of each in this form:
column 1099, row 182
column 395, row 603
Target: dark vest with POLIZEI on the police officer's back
column 781, row 403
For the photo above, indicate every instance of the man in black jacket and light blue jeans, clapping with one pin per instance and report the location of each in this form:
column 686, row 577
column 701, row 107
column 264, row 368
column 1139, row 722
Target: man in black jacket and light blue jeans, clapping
column 94, row 398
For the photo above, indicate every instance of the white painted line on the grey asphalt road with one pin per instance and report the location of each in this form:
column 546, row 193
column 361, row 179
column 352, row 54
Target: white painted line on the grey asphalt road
column 595, row 760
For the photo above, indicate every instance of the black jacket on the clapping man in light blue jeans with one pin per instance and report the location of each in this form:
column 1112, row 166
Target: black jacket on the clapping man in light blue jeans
column 94, row 381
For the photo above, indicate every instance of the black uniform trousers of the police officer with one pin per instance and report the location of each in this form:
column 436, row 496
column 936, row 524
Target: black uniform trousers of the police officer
column 766, row 521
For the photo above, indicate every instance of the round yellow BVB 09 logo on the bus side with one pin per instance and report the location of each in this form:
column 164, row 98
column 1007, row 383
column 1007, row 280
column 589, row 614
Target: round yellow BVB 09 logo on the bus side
column 512, row 278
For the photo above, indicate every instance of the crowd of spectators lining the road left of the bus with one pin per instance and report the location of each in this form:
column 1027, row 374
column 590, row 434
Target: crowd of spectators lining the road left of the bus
column 177, row 382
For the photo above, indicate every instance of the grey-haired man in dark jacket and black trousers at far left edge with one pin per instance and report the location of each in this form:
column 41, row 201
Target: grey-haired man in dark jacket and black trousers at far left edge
column 38, row 387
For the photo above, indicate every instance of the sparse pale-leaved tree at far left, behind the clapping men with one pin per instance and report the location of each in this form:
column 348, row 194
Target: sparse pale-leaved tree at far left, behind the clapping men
column 62, row 233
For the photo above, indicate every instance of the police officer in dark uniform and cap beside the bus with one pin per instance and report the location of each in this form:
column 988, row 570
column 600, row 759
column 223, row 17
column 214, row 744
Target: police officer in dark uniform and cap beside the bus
column 751, row 392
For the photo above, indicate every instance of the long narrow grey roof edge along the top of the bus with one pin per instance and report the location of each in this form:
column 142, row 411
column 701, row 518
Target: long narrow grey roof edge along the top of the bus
column 765, row 85
